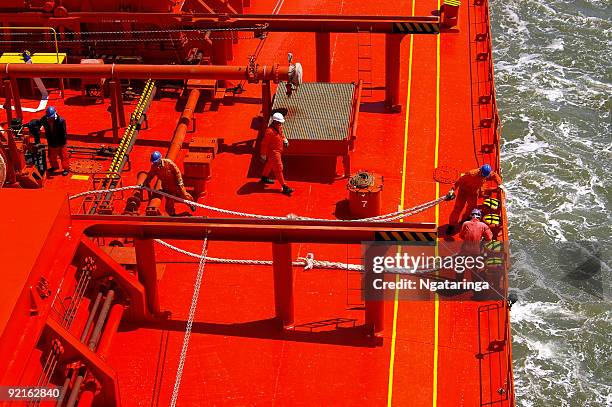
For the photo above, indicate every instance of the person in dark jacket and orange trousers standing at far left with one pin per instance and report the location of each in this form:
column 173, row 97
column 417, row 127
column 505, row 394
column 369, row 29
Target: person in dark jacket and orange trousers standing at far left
column 55, row 132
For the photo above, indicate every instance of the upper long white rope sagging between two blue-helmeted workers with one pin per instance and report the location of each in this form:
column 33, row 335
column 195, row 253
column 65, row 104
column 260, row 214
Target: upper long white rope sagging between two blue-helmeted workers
column 381, row 218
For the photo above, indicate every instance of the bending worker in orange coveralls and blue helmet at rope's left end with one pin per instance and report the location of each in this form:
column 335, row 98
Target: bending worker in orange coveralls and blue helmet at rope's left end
column 172, row 182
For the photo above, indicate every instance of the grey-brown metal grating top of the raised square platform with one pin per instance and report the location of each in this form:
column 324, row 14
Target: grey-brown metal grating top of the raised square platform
column 316, row 111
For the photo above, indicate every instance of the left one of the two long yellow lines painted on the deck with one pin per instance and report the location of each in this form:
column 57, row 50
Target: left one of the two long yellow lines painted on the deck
column 402, row 201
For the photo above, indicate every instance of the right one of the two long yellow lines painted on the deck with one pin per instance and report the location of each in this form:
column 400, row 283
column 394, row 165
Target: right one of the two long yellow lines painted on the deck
column 434, row 401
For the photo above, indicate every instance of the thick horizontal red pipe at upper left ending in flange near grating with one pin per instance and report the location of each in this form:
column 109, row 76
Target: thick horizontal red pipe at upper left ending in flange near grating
column 112, row 71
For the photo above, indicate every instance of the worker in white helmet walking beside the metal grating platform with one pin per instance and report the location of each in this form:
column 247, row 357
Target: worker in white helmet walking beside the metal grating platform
column 272, row 150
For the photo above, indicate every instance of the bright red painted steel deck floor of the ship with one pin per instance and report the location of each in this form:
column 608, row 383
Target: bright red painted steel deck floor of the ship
column 428, row 351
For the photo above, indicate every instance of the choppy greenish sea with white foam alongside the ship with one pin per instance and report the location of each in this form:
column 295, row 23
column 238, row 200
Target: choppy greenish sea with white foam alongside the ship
column 553, row 71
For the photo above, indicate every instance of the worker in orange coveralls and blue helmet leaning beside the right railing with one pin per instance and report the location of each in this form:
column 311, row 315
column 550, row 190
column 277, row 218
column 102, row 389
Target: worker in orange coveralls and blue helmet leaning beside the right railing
column 467, row 188
